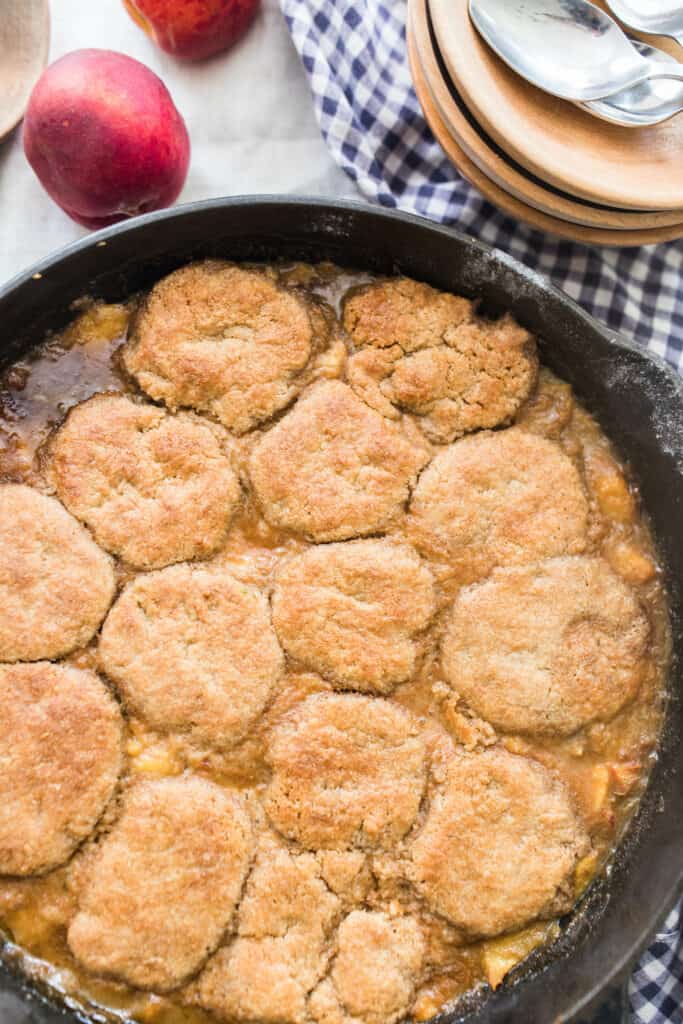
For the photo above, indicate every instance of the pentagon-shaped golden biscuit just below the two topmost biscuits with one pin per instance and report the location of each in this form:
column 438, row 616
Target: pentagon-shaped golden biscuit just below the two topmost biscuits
column 333, row 468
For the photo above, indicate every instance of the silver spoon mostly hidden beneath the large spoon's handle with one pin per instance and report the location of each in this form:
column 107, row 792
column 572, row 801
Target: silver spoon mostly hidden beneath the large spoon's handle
column 647, row 104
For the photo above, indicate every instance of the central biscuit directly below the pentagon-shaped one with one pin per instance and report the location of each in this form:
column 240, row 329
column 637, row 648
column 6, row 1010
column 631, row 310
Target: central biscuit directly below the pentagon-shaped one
column 352, row 612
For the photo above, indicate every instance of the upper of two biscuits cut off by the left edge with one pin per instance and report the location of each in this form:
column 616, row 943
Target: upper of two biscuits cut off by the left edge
column 56, row 584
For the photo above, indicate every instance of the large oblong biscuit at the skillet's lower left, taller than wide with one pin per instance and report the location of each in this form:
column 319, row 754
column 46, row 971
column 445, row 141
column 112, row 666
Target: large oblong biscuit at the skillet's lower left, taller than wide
column 161, row 889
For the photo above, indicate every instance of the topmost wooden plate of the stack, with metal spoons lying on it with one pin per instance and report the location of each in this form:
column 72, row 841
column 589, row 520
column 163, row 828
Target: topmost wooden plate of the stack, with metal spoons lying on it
column 634, row 168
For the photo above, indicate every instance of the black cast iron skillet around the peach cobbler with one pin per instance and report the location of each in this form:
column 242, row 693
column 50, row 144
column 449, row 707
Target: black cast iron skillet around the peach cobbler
column 639, row 403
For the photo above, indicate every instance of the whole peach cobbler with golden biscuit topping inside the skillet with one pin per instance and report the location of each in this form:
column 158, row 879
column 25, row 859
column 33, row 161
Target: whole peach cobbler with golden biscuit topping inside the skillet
column 278, row 852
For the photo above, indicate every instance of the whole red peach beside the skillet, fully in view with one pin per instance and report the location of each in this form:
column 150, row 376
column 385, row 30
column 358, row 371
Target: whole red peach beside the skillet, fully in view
column 105, row 138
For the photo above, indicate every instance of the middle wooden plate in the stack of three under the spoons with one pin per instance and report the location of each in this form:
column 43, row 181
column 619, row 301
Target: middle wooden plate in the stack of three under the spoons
column 484, row 152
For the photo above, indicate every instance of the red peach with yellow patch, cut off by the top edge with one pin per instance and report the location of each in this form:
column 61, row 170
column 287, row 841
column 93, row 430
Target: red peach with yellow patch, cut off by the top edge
column 194, row 29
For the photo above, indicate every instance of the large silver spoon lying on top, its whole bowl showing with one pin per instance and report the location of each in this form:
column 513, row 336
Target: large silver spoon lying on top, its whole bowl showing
column 567, row 48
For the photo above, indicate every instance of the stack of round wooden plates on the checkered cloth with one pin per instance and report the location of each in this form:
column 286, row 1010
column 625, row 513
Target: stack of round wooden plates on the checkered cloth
column 540, row 159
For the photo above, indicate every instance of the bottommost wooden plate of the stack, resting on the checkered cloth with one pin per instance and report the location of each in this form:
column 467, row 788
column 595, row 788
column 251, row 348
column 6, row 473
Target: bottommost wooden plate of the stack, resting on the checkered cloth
column 503, row 200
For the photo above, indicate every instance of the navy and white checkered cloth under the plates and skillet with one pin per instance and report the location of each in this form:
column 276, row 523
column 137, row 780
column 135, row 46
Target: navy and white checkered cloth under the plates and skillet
column 355, row 55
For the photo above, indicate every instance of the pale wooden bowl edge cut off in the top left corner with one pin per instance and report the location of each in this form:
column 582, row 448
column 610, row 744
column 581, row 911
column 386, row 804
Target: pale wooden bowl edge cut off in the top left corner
column 25, row 40
